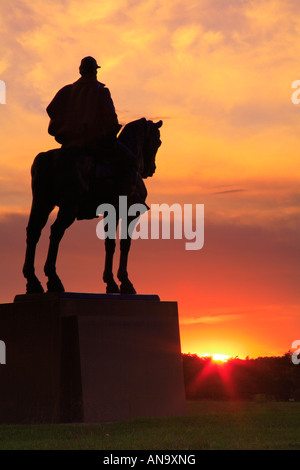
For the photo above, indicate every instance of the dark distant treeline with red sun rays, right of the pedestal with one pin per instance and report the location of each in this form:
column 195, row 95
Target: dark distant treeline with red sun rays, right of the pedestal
column 263, row 378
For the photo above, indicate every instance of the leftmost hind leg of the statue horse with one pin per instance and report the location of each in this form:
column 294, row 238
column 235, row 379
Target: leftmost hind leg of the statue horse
column 37, row 220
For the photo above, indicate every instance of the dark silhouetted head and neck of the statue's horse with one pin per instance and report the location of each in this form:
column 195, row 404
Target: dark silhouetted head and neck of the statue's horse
column 142, row 137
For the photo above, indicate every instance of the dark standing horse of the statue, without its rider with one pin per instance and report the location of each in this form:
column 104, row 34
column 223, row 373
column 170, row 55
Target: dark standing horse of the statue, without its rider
column 53, row 186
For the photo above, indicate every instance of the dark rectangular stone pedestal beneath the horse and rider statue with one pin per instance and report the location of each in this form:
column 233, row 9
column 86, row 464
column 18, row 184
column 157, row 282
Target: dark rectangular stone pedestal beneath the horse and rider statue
column 89, row 358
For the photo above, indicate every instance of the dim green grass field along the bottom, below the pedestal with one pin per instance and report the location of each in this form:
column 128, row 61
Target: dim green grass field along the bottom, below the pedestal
column 208, row 425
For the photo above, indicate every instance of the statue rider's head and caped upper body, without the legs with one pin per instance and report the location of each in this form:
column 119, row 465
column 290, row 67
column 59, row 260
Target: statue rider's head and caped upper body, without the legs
column 82, row 114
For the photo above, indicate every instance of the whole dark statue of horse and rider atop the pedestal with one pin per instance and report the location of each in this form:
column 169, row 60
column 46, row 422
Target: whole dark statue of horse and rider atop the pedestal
column 92, row 167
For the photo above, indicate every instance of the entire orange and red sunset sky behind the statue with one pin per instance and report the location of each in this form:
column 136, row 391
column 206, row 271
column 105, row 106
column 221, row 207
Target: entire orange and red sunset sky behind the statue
column 219, row 74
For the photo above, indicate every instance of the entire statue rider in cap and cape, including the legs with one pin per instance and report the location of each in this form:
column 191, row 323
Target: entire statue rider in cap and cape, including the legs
column 84, row 121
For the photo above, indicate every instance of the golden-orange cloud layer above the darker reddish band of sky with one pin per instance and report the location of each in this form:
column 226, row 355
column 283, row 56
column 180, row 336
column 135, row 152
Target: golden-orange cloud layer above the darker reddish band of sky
column 221, row 73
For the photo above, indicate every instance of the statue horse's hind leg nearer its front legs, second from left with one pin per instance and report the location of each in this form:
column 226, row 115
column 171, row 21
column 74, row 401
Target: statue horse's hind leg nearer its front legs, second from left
column 65, row 217
